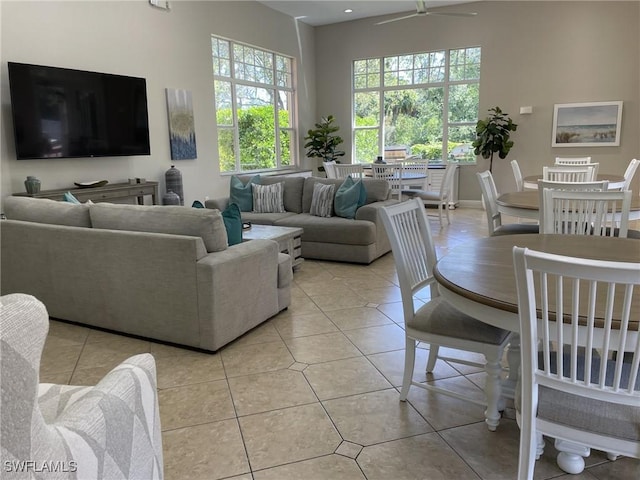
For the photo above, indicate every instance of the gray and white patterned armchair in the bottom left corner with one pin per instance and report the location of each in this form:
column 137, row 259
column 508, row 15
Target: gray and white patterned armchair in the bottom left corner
column 108, row 431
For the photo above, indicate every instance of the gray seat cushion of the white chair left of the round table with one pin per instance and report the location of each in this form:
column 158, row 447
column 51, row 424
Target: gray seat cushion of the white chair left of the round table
column 438, row 317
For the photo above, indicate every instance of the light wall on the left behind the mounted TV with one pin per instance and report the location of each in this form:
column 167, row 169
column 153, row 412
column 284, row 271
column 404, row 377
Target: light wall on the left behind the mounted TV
column 169, row 49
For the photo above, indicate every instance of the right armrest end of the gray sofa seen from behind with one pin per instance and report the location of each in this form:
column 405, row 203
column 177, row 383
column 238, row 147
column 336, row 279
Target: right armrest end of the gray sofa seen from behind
column 237, row 290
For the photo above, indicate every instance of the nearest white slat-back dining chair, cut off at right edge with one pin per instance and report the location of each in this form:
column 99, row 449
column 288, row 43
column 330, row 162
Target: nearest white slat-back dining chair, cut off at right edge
column 587, row 396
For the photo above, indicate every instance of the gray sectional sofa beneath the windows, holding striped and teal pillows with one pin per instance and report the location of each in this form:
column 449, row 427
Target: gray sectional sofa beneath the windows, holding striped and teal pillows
column 359, row 240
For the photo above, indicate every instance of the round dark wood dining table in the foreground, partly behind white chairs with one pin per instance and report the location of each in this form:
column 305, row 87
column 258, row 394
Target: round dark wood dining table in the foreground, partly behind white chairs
column 478, row 278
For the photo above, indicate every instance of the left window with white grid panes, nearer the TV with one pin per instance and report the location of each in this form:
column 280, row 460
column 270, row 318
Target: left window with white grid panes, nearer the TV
column 254, row 103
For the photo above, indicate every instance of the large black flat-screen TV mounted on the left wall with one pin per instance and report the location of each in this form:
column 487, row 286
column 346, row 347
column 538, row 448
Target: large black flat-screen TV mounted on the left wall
column 64, row 113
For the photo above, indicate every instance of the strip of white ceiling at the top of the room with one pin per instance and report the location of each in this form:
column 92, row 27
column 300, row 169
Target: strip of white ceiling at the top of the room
column 325, row 12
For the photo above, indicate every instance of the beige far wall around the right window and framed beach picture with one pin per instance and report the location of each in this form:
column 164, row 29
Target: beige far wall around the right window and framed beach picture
column 533, row 53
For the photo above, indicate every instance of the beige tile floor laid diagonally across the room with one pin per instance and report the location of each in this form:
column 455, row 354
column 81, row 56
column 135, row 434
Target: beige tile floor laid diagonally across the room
column 313, row 392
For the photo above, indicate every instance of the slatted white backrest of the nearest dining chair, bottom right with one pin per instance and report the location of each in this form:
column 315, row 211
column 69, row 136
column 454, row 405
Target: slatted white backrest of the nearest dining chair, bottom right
column 588, row 353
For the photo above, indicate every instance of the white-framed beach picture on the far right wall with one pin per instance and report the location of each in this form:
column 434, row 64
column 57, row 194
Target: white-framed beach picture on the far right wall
column 595, row 124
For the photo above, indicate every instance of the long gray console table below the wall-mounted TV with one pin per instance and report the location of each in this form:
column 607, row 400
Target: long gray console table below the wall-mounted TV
column 107, row 193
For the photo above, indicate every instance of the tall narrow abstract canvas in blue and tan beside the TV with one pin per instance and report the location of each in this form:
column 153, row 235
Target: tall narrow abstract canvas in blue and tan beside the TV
column 182, row 135
